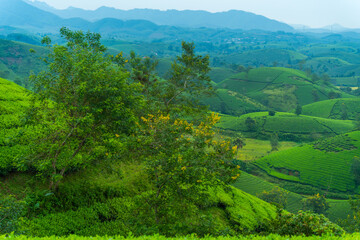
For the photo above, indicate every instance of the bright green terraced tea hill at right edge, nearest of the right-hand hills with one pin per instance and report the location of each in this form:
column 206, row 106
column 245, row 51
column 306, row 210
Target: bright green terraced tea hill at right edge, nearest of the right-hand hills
column 325, row 164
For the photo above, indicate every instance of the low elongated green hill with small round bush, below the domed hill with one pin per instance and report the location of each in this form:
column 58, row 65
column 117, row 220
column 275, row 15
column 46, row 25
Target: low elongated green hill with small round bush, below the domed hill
column 288, row 125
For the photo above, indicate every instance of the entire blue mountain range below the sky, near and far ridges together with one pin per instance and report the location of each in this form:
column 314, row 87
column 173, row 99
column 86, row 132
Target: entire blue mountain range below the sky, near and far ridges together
column 38, row 16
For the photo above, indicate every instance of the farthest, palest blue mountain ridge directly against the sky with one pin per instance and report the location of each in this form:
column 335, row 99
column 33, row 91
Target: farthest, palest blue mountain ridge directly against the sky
column 233, row 19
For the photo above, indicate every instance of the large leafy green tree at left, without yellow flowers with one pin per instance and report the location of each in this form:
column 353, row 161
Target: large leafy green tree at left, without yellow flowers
column 83, row 106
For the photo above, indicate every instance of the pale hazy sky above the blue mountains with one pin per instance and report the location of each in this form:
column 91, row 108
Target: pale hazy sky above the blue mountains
column 314, row 13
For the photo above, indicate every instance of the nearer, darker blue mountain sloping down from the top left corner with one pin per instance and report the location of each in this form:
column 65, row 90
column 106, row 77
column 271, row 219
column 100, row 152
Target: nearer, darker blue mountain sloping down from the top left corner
column 15, row 14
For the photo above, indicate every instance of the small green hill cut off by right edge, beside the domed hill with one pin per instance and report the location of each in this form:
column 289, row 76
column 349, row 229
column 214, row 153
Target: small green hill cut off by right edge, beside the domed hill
column 343, row 108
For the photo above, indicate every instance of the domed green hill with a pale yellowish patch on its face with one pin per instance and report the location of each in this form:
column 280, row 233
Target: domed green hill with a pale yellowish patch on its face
column 279, row 88
